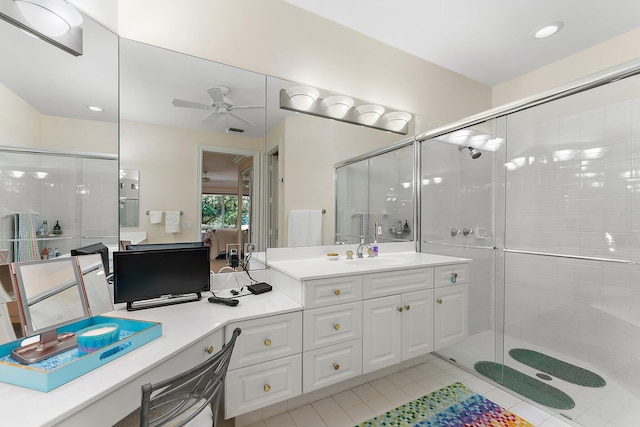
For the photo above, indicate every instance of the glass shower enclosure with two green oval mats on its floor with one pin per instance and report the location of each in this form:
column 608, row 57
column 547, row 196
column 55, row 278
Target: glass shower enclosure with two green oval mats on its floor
column 549, row 213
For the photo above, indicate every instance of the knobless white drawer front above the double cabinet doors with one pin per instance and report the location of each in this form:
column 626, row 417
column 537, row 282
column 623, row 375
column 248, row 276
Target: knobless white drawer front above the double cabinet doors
column 396, row 282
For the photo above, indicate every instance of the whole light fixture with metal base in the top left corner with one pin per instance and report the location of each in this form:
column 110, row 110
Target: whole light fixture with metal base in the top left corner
column 54, row 21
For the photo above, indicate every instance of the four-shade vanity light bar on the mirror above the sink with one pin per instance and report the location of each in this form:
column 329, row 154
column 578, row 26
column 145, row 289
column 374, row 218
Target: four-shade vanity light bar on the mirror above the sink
column 321, row 103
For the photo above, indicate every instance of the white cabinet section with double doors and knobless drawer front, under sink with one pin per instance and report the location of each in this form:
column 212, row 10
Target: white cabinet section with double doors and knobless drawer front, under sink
column 398, row 326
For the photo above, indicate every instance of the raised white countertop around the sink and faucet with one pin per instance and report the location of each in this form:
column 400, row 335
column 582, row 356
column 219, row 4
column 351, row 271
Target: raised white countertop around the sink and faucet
column 315, row 268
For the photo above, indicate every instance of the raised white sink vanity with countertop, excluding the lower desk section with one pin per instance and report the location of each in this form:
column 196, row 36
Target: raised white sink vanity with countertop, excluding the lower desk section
column 364, row 314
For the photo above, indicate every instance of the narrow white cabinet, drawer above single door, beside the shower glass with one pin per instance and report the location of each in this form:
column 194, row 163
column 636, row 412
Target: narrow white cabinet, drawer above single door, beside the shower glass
column 451, row 304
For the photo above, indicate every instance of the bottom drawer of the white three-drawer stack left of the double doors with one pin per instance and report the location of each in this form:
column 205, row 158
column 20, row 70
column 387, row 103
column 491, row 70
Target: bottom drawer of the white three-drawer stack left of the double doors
column 331, row 365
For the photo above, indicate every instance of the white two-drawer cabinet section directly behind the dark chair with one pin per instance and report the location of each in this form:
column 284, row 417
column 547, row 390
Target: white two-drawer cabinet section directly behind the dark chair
column 266, row 365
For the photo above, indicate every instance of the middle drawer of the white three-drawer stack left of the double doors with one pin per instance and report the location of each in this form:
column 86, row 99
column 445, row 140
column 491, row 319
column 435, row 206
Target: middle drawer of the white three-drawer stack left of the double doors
column 332, row 325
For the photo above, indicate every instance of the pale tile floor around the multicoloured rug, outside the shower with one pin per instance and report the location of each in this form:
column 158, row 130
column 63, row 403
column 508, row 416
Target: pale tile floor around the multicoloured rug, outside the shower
column 358, row 404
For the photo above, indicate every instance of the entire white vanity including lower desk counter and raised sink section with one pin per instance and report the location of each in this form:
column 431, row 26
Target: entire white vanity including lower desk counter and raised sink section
column 325, row 321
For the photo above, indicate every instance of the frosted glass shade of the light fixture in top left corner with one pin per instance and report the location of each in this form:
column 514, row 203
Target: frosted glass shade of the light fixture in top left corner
column 50, row 17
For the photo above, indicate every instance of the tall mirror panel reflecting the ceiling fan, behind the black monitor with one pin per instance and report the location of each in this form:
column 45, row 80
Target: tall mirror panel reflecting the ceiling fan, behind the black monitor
column 191, row 106
